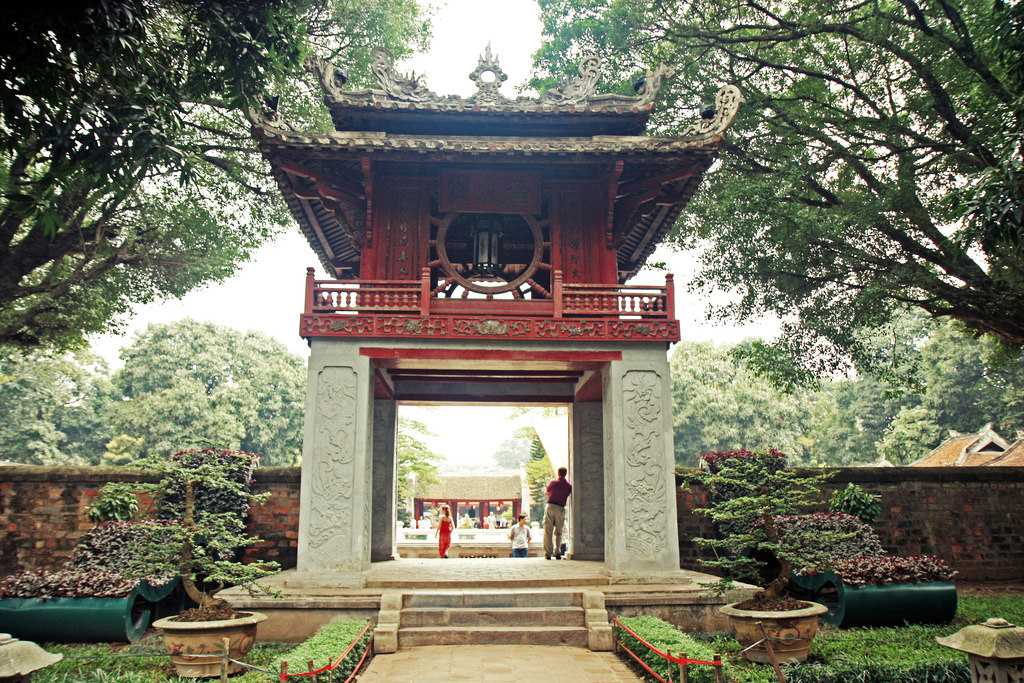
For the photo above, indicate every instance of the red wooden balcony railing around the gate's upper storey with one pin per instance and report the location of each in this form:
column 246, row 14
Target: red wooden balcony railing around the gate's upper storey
column 568, row 301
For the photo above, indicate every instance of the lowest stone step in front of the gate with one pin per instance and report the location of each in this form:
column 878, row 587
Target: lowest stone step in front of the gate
column 492, row 635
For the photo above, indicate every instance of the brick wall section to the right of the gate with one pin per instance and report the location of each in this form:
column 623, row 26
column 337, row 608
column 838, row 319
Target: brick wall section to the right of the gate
column 970, row 517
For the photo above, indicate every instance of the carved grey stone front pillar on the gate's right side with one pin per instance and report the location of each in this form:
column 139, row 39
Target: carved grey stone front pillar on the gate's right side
column 639, row 464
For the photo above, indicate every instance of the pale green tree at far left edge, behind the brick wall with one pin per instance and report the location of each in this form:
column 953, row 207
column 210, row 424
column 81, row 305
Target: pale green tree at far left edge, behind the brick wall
column 53, row 407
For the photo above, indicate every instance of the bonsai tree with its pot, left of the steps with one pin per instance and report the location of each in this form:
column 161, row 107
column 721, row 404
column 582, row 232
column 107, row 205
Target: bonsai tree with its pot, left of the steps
column 205, row 494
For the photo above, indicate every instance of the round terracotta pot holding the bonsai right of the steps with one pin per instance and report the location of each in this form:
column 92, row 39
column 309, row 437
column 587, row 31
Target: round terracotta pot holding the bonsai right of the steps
column 792, row 632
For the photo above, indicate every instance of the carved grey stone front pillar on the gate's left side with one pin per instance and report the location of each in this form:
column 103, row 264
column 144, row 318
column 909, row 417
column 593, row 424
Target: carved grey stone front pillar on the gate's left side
column 334, row 510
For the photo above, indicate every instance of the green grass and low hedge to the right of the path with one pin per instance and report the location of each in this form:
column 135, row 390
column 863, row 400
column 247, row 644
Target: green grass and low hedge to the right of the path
column 900, row 655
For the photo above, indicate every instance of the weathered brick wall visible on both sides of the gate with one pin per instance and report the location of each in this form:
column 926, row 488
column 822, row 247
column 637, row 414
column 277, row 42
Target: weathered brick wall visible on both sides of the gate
column 972, row 518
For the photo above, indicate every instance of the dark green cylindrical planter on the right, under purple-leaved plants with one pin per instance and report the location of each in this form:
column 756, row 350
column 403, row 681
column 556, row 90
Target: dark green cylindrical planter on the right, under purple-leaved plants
column 931, row 603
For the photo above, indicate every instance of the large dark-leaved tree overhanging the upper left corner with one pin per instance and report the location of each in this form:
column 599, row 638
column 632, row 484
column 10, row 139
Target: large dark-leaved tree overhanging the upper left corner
column 127, row 167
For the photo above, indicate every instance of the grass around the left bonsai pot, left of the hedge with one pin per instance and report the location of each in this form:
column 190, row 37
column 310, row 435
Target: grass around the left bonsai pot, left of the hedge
column 146, row 662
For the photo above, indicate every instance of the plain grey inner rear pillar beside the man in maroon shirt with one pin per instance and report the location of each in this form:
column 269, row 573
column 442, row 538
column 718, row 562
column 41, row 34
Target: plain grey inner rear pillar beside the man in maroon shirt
column 587, row 448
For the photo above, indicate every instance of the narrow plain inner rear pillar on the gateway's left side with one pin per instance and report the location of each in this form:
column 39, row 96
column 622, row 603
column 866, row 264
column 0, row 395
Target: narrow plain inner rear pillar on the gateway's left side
column 382, row 544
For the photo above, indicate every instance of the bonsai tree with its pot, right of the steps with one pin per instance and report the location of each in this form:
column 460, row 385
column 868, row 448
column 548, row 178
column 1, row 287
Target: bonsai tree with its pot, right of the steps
column 747, row 493
